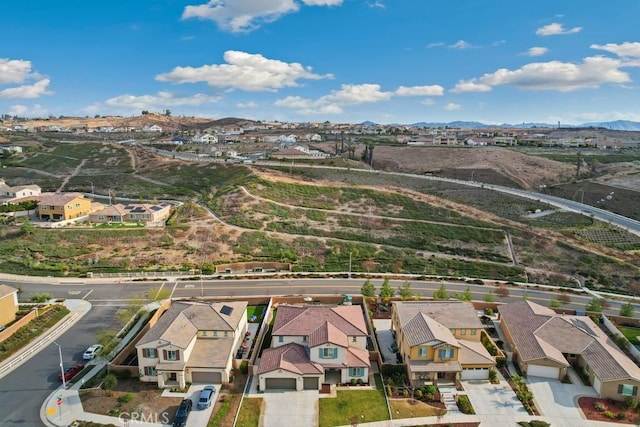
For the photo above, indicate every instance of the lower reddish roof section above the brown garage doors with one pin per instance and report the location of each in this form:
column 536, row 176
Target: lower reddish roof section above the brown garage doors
column 290, row 357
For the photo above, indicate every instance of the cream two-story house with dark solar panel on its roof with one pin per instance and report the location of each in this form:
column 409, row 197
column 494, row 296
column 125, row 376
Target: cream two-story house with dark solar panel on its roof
column 192, row 343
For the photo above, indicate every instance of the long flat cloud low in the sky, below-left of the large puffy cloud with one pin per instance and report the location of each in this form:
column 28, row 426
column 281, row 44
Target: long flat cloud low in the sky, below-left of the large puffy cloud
column 151, row 102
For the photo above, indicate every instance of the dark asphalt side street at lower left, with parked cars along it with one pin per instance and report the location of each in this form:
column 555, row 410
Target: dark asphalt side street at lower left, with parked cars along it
column 23, row 390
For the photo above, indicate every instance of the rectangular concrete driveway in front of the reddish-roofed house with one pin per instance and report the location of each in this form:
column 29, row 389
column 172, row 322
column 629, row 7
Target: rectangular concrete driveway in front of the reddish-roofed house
column 290, row 408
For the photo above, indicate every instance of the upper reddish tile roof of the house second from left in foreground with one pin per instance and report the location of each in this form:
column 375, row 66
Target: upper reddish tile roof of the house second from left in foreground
column 303, row 321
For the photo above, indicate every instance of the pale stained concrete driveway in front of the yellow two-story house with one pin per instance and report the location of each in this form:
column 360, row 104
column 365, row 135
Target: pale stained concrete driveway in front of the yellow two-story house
column 493, row 399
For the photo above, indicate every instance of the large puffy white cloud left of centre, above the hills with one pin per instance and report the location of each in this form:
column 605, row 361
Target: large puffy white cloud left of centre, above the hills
column 245, row 71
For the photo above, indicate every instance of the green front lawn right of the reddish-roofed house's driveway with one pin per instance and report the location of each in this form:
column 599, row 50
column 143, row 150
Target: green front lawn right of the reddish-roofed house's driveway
column 364, row 405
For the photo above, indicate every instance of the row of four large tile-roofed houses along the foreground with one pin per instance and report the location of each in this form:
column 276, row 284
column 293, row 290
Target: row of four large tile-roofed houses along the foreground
column 312, row 345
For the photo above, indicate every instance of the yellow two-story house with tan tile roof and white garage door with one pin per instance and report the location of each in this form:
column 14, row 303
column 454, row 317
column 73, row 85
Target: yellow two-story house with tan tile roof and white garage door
column 440, row 340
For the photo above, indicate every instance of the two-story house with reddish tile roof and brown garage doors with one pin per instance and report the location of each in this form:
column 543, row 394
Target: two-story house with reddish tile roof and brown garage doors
column 314, row 345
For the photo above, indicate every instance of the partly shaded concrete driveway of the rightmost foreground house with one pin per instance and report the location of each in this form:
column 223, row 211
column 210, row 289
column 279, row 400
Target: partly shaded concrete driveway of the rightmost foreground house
column 555, row 399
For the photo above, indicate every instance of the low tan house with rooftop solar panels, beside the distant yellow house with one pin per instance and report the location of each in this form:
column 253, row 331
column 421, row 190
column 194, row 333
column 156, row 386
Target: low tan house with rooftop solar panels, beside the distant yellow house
column 132, row 212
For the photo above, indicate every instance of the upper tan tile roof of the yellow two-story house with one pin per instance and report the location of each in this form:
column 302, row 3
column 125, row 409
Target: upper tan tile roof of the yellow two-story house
column 452, row 314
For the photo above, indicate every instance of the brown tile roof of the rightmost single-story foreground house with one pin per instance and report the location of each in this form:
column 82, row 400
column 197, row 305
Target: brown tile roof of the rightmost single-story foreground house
column 540, row 332
